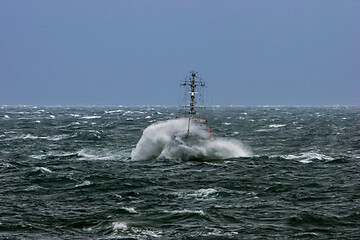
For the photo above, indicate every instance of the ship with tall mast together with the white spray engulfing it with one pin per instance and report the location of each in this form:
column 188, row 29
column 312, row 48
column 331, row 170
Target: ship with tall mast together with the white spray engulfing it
column 187, row 137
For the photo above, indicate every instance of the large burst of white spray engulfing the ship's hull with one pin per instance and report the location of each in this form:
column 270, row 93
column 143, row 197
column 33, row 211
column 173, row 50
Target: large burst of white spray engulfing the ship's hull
column 169, row 140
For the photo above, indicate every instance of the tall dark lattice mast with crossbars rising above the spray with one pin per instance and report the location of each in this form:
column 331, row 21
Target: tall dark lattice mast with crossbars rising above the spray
column 192, row 82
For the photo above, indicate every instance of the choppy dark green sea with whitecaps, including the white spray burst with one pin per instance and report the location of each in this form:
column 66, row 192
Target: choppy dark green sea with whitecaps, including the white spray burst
column 264, row 173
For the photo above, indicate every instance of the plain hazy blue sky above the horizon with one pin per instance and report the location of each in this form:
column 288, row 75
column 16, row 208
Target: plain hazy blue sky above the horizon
column 126, row 52
